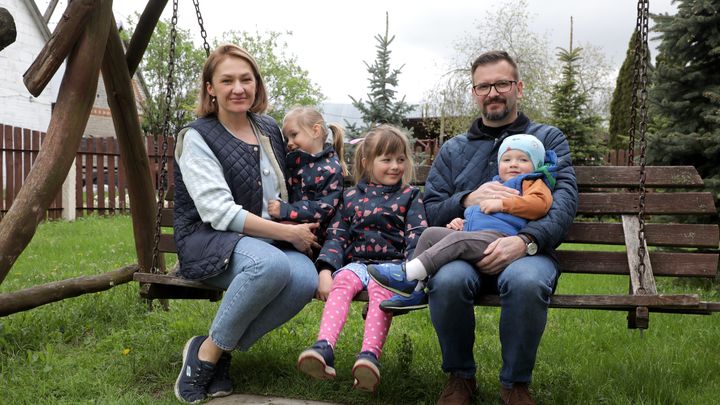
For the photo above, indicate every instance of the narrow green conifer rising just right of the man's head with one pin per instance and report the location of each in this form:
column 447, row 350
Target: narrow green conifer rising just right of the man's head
column 571, row 114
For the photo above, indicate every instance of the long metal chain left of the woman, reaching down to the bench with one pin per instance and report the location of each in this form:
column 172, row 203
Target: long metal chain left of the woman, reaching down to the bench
column 165, row 129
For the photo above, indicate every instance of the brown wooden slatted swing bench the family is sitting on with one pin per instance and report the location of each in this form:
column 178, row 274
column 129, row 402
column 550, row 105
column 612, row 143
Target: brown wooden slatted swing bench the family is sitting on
column 610, row 193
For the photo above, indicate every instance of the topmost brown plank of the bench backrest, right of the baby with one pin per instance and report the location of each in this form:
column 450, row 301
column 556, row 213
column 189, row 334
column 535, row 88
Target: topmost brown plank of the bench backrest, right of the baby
column 629, row 176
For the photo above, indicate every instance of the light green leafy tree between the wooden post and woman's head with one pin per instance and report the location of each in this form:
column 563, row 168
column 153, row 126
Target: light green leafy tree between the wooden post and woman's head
column 155, row 64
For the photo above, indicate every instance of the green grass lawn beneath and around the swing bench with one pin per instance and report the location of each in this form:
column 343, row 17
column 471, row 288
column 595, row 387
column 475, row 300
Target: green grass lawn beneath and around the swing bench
column 107, row 348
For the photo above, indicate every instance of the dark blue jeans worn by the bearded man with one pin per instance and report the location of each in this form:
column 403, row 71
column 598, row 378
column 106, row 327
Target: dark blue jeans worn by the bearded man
column 524, row 287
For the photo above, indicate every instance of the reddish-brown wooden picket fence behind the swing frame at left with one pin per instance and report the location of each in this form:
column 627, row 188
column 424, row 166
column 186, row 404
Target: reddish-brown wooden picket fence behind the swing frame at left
column 100, row 183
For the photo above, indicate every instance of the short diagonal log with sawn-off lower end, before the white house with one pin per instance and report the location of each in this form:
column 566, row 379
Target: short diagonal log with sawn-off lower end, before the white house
column 72, row 24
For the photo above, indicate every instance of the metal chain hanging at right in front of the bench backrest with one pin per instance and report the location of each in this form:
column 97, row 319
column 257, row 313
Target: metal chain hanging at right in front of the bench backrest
column 641, row 110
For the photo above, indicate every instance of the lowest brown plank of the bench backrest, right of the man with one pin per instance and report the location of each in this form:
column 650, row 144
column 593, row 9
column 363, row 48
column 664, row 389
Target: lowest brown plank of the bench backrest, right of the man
column 664, row 263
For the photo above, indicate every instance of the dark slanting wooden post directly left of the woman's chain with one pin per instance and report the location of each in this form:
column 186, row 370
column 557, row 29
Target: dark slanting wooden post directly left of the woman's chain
column 121, row 100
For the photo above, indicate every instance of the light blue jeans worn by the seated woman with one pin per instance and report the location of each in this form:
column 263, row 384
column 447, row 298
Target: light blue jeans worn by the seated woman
column 265, row 287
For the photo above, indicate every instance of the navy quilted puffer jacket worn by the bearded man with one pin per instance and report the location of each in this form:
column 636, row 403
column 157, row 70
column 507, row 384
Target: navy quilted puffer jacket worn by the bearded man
column 469, row 160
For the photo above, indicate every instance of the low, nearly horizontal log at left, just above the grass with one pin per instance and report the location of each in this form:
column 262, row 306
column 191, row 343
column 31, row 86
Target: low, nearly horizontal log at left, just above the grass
column 34, row 297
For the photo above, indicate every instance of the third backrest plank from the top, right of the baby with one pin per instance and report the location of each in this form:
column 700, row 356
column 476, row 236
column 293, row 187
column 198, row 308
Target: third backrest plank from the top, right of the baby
column 681, row 235
